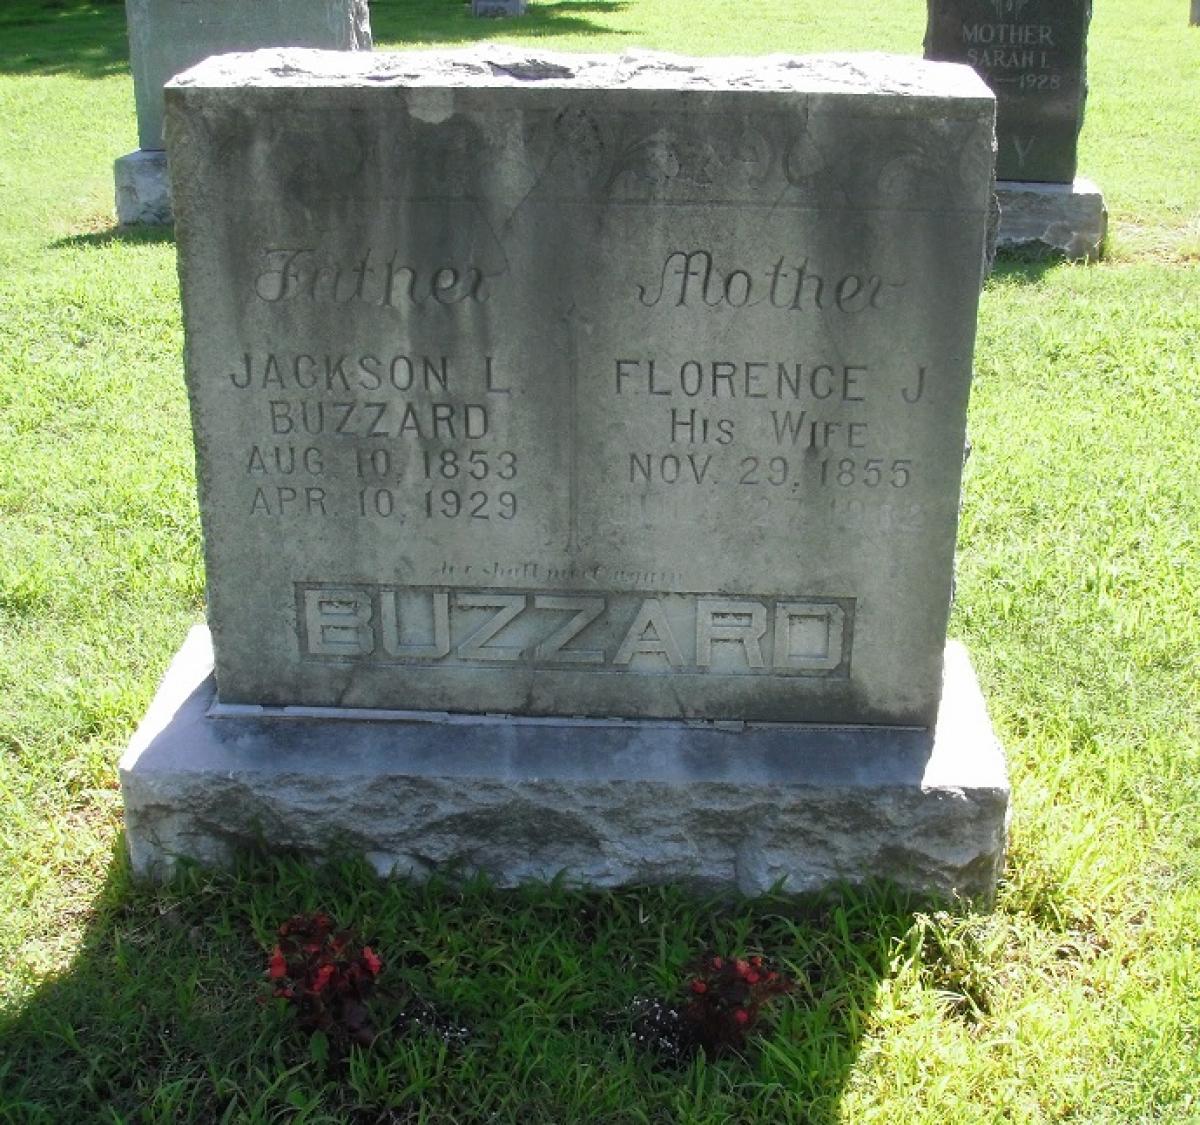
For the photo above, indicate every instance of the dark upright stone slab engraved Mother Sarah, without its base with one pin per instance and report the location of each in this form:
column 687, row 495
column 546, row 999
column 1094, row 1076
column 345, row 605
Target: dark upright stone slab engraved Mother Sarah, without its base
column 1033, row 53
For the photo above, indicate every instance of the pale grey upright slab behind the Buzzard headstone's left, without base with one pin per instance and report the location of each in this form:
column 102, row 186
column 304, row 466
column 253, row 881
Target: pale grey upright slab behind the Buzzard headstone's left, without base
column 167, row 37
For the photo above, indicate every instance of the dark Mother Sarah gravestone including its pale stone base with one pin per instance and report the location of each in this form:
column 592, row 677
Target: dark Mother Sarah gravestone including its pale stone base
column 1034, row 56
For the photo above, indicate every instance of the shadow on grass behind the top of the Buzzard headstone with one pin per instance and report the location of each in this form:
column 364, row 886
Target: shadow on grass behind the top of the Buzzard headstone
column 406, row 23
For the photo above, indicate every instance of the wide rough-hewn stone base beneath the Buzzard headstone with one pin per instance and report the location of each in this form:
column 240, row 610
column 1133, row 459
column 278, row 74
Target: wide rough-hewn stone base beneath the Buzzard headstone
column 717, row 807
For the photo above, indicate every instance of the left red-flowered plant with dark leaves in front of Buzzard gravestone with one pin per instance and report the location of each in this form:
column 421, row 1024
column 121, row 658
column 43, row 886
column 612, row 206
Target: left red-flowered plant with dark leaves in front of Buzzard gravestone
column 326, row 976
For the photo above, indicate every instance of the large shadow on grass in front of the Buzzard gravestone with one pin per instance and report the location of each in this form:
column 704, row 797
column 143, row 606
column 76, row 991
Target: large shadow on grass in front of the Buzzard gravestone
column 161, row 1018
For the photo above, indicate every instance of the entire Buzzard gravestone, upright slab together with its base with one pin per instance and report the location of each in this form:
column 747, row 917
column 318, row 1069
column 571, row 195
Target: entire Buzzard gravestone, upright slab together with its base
column 579, row 446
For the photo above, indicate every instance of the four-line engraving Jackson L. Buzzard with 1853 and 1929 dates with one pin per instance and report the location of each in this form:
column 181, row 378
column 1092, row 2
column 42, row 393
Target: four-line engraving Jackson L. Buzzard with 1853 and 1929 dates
column 409, row 425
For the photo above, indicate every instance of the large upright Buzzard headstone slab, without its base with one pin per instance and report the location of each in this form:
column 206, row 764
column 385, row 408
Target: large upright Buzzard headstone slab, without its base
column 566, row 386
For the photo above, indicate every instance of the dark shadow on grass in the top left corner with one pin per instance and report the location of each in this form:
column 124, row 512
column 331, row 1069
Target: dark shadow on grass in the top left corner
column 81, row 38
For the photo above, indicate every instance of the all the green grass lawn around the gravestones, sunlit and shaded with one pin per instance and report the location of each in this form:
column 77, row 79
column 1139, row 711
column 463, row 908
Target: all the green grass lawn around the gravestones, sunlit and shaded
column 1077, row 1000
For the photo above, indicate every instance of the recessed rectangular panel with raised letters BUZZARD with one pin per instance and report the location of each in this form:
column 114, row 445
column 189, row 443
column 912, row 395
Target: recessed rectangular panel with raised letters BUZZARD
column 640, row 634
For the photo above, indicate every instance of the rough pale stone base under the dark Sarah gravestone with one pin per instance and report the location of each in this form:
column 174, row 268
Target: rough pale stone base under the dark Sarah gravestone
column 1070, row 219
